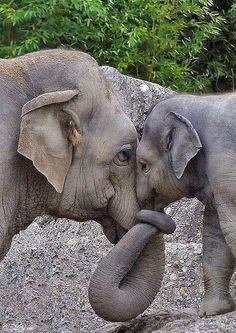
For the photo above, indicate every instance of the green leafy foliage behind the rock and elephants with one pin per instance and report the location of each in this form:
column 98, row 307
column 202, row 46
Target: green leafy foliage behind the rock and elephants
column 184, row 44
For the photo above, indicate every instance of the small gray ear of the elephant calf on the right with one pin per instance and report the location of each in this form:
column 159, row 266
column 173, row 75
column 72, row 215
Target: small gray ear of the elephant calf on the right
column 183, row 142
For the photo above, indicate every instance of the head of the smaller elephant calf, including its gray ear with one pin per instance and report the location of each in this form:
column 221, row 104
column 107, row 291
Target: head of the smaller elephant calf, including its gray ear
column 165, row 155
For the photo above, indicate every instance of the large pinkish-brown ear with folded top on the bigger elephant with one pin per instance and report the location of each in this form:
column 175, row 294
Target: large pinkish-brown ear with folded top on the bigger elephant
column 47, row 135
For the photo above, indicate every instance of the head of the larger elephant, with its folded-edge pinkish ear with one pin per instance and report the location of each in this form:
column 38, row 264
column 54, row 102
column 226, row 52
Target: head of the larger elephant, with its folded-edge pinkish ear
column 76, row 135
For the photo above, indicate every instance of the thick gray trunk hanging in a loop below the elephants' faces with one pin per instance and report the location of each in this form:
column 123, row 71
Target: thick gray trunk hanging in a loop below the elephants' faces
column 128, row 278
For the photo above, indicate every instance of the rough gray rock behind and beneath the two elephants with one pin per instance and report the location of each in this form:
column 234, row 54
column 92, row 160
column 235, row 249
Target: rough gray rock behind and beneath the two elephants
column 44, row 277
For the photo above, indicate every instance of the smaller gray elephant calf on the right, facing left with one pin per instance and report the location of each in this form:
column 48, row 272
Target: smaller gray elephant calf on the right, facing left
column 188, row 148
